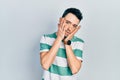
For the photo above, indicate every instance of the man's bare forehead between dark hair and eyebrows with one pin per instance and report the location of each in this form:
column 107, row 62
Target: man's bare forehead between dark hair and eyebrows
column 72, row 18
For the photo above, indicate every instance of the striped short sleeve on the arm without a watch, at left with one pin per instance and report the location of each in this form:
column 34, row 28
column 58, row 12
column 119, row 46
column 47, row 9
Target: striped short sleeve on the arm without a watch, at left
column 43, row 44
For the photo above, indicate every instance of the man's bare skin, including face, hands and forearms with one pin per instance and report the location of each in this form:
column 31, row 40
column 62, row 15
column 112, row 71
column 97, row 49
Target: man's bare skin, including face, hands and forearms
column 67, row 26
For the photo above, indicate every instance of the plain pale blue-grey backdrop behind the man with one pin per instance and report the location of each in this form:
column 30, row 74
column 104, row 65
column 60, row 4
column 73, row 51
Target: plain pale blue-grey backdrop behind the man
column 23, row 22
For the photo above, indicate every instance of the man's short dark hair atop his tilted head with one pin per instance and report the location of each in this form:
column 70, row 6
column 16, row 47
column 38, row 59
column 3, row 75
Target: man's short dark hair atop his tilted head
column 74, row 11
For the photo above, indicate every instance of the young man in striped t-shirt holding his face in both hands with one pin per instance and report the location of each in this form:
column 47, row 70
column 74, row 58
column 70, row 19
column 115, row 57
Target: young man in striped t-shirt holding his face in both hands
column 61, row 51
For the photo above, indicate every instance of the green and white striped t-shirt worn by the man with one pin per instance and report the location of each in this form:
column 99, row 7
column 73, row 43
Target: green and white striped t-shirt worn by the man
column 59, row 70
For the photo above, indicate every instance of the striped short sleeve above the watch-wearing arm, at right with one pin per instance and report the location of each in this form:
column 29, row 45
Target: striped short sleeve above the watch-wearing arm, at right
column 78, row 51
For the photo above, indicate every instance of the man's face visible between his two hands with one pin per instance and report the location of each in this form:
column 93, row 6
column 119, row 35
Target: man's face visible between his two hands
column 71, row 23
